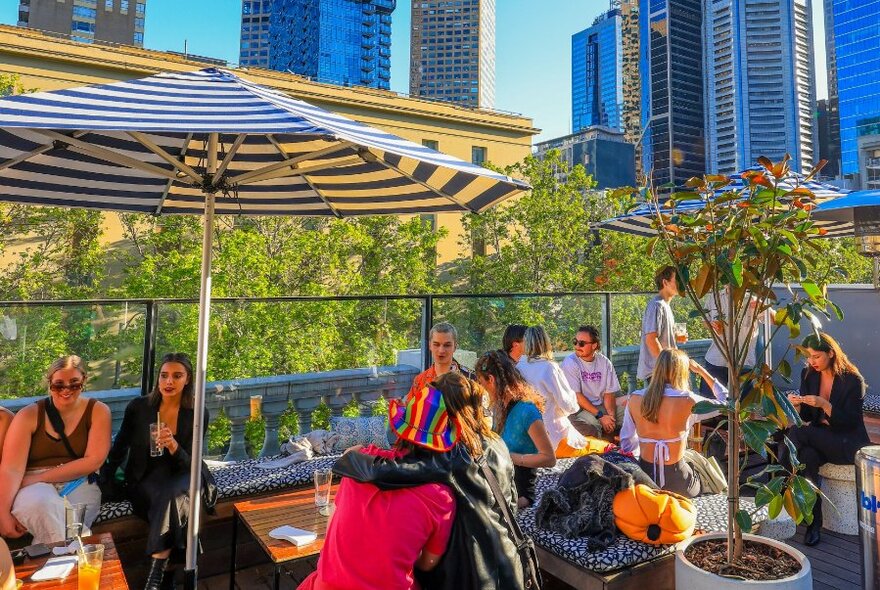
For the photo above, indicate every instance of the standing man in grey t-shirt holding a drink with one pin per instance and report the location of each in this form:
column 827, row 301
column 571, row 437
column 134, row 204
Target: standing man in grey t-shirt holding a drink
column 658, row 322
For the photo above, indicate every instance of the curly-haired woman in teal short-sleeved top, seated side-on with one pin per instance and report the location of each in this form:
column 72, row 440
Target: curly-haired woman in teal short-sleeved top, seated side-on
column 517, row 410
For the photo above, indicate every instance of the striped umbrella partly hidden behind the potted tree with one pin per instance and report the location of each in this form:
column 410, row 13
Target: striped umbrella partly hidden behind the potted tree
column 638, row 221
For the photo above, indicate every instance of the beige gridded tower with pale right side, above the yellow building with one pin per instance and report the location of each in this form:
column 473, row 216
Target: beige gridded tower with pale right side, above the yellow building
column 452, row 51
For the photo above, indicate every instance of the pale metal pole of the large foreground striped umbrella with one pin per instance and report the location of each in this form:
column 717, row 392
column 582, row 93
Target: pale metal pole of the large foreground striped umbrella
column 190, row 577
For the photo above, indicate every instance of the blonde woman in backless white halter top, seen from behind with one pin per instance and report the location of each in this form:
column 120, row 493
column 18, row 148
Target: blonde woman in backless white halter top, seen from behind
column 658, row 419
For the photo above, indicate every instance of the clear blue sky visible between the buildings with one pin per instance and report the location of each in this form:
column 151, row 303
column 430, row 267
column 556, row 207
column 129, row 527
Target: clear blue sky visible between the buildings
column 533, row 47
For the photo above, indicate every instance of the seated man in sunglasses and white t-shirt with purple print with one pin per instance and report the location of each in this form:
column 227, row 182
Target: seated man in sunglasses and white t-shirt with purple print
column 591, row 375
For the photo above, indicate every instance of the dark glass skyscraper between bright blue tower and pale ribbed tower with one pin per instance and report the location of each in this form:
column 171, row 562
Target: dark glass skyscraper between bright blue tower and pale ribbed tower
column 671, row 68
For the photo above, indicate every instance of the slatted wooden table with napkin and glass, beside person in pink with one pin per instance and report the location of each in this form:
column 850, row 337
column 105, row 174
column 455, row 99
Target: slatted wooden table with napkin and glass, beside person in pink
column 296, row 508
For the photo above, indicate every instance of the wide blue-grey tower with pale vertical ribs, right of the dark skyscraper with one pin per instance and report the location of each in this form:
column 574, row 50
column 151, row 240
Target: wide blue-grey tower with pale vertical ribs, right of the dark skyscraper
column 760, row 92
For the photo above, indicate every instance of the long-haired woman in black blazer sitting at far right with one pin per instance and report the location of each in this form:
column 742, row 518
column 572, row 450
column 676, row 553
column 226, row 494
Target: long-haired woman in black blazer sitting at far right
column 830, row 404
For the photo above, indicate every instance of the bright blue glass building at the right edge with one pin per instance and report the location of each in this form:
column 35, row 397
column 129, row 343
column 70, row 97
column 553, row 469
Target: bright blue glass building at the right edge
column 857, row 60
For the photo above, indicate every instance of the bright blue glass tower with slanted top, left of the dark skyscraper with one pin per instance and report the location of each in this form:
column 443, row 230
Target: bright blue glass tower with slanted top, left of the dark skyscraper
column 597, row 74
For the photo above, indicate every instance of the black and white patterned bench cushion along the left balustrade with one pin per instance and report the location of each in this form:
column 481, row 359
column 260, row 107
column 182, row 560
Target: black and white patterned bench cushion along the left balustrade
column 243, row 478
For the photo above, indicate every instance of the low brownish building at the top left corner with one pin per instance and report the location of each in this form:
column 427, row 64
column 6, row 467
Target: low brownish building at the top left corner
column 114, row 21
